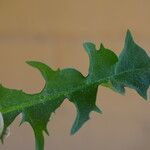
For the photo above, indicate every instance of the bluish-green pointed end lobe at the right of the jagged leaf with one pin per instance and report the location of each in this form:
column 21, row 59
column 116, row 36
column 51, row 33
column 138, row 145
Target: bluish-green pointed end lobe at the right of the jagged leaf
column 133, row 68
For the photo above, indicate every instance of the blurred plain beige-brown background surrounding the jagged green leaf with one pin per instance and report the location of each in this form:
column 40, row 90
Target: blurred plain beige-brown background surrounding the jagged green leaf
column 53, row 31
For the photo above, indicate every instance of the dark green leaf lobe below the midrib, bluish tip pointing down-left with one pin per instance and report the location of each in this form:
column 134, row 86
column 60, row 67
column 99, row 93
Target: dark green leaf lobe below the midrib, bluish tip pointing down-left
column 84, row 101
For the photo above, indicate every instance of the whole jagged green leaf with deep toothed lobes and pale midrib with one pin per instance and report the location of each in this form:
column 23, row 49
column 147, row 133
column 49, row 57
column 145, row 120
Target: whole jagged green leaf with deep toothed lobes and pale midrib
column 131, row 69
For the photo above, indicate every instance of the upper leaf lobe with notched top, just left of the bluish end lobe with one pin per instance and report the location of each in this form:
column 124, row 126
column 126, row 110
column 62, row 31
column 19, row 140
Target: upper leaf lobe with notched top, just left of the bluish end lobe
column 102, row 62
